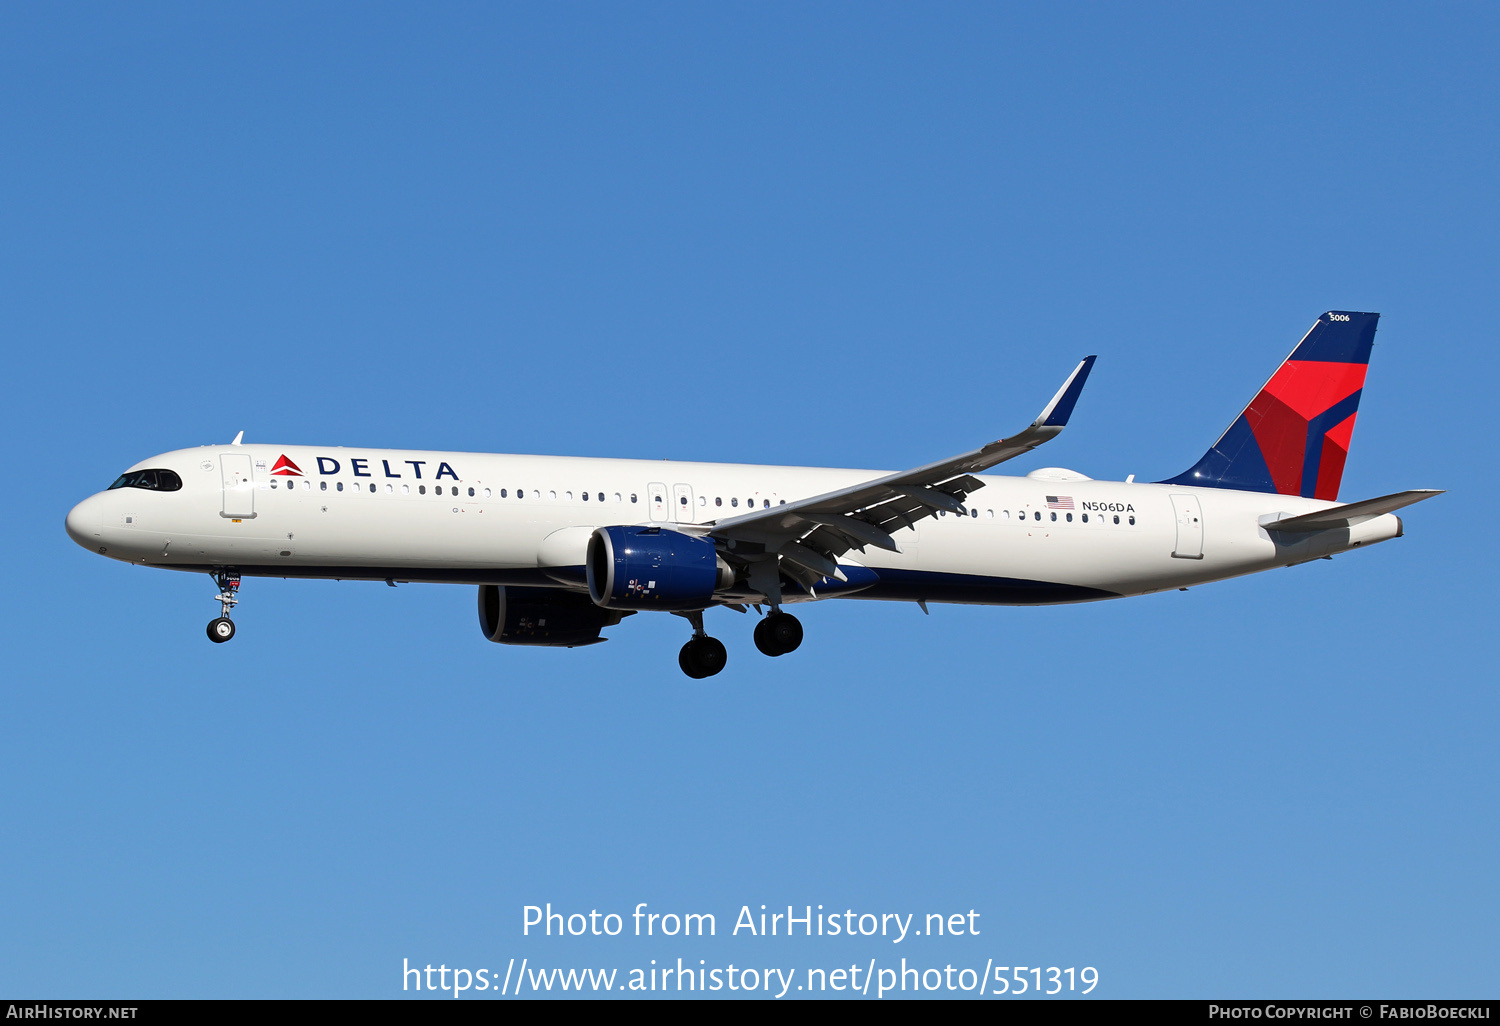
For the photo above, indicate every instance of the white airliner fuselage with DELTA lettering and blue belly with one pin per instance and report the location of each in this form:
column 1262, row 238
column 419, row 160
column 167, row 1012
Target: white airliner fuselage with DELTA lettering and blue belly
column 482, row 518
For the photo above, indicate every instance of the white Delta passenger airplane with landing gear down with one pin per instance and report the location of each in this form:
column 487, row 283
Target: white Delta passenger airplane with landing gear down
column 562, row 548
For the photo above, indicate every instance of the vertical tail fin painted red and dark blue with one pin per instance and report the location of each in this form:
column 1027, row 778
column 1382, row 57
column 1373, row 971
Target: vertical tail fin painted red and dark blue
column 1294, row 437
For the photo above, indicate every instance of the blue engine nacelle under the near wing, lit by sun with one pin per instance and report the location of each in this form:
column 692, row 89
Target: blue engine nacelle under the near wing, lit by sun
column 634, row 568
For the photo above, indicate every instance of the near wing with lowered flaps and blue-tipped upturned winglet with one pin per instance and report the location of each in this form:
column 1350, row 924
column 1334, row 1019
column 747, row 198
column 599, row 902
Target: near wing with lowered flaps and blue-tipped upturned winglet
column 805, row 539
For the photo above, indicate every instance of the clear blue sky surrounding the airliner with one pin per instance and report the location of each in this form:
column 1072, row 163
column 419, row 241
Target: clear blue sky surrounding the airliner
column 827, row 235
